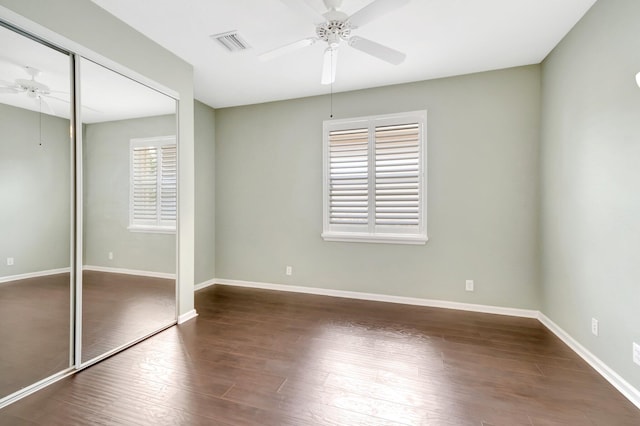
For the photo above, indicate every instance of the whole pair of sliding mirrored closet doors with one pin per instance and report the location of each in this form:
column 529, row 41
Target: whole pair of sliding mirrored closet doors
column 88, row 212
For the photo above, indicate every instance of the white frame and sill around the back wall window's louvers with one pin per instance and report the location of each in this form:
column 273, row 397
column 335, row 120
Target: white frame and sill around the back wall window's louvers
column 372, row 232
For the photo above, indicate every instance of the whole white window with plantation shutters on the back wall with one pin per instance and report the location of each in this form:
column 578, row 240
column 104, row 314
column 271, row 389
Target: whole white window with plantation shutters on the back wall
column 374, row 179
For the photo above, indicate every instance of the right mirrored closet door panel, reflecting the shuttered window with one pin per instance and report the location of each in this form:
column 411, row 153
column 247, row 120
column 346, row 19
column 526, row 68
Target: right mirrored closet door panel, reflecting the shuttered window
column 130, row 194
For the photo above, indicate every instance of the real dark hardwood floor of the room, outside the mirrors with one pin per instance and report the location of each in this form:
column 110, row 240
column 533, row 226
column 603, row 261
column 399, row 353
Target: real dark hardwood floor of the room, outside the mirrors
column 256, row 357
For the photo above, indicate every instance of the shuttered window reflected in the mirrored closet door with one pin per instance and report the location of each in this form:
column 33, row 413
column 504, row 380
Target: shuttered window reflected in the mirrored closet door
column 153, row 184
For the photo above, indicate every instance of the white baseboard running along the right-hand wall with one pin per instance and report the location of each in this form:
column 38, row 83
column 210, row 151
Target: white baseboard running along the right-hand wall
column 630, row 392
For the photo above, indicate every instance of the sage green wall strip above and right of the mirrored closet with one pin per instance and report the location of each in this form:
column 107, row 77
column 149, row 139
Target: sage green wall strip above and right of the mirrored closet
column 82, row 25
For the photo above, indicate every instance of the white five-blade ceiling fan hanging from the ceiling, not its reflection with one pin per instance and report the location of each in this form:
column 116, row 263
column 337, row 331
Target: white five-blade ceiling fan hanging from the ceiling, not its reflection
column 335, row 26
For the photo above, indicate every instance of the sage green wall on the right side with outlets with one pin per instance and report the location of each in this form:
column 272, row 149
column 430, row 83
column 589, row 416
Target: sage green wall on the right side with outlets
column 590, row 200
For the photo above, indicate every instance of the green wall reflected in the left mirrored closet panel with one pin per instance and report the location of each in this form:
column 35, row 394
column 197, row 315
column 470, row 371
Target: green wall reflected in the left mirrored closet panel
column 35, row 190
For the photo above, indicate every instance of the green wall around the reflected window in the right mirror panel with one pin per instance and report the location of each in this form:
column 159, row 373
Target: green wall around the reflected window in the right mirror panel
column 106, row 198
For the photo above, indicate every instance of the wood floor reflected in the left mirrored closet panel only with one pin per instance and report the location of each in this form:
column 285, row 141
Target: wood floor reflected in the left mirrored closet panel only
column 34, row 330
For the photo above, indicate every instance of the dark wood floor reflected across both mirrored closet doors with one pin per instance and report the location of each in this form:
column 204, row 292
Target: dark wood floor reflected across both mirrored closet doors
column 35, row 321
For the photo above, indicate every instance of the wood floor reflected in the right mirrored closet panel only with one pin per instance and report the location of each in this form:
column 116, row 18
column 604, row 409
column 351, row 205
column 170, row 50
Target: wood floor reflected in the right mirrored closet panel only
column 120, row 308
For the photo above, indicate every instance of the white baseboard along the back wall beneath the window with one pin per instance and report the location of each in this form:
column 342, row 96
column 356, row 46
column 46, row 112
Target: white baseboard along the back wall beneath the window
column 526, row 313
